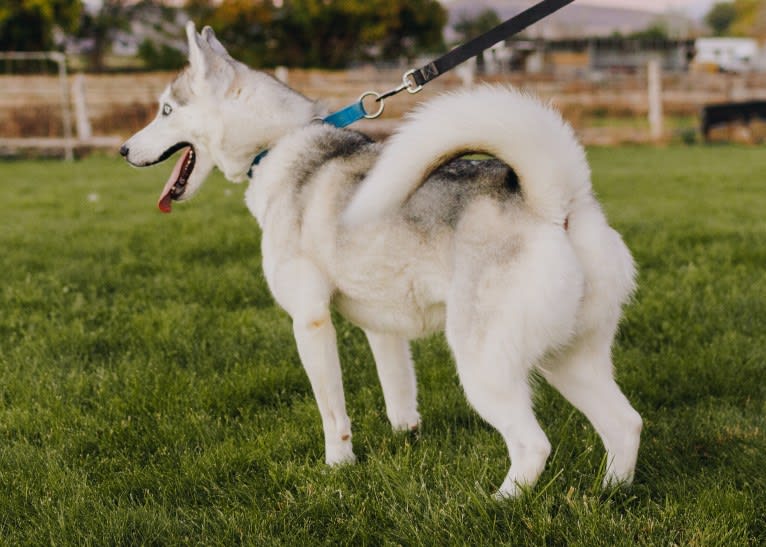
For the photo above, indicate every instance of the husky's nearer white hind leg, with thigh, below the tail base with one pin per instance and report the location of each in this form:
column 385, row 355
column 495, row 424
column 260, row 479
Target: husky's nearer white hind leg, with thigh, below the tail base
column 499, row 327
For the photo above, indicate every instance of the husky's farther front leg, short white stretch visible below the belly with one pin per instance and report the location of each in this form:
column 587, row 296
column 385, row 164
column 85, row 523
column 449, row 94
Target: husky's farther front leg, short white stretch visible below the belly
column 397, row 378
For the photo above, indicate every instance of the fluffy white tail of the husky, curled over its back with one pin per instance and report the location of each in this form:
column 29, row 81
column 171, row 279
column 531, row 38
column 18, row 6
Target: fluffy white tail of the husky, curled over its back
column 512, row 126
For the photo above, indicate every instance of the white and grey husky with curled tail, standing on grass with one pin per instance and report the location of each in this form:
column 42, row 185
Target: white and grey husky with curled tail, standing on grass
column 512, row 258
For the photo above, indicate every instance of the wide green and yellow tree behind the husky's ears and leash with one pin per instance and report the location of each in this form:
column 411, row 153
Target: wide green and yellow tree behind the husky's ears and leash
column 323, row 33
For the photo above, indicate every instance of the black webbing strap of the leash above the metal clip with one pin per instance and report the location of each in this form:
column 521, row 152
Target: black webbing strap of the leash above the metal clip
column 472, row 48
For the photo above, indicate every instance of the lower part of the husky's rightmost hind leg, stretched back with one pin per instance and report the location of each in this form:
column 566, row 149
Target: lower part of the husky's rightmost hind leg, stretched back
column 584, row 377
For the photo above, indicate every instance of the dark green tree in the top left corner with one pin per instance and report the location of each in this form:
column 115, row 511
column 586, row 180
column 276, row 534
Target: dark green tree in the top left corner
column 27, row 25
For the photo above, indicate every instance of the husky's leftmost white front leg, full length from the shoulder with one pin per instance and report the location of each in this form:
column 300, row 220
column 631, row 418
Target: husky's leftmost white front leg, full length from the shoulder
column 305, row 293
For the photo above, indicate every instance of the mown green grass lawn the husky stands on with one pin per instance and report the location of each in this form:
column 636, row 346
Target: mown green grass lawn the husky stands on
column 150, row 391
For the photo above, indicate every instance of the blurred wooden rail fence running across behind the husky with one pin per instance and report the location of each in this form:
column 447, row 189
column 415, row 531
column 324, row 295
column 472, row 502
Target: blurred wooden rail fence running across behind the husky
column 606, row 110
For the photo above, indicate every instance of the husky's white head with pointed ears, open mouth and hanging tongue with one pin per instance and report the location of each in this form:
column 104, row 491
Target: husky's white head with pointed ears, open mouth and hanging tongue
column 219, row 113
